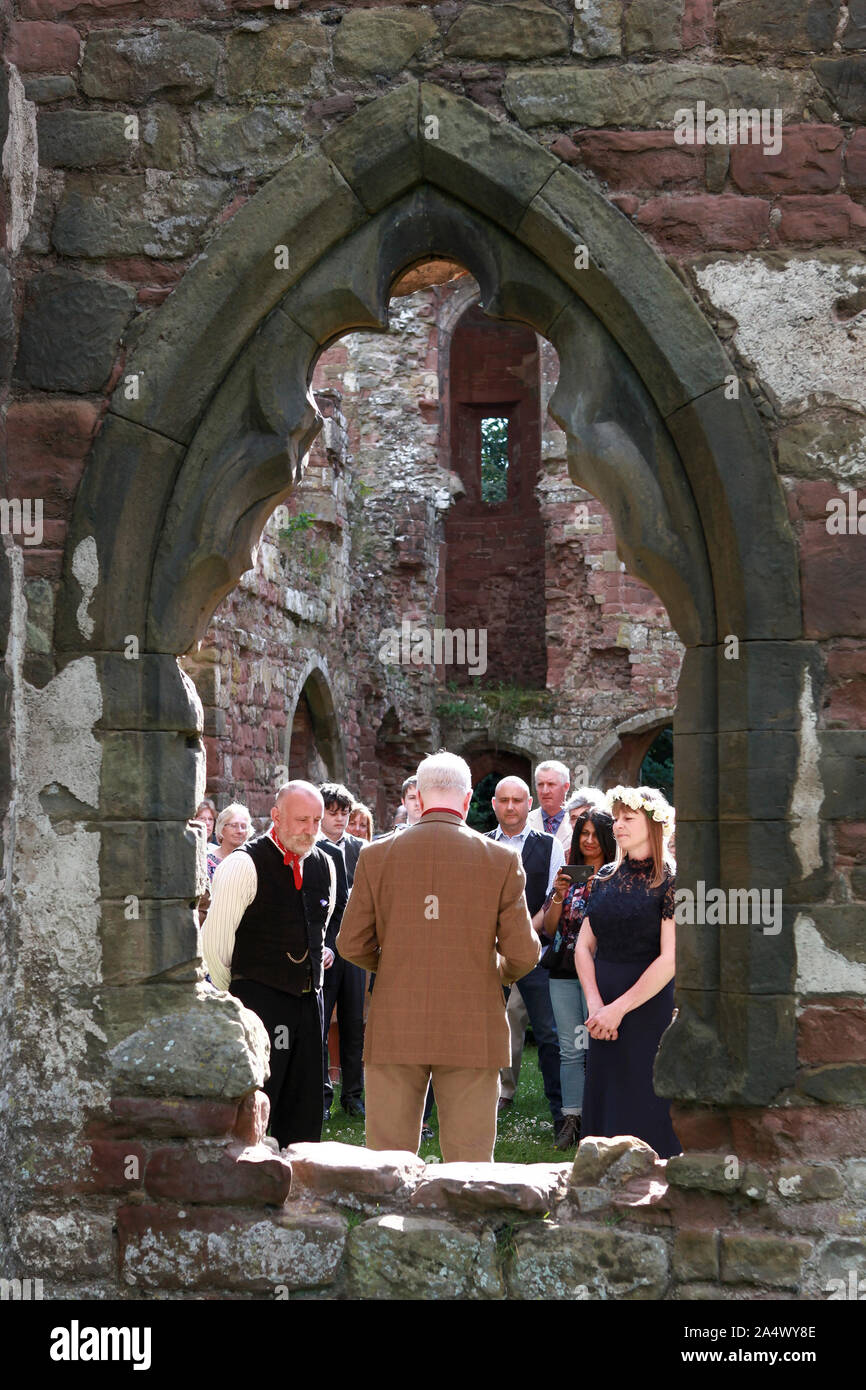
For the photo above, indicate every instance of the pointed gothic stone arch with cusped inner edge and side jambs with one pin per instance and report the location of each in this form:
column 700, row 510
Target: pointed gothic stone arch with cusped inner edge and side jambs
column 181, row 482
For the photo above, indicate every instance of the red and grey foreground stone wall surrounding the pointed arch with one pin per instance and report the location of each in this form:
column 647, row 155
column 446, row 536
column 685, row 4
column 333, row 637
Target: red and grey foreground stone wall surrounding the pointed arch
column 94, row 243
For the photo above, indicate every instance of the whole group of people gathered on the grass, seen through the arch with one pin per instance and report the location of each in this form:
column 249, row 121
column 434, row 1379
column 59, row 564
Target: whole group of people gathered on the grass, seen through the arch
column 565, row 911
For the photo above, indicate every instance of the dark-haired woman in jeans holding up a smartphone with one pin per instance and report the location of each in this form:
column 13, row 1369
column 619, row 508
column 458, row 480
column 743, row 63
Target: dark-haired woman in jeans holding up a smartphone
column 593, row 846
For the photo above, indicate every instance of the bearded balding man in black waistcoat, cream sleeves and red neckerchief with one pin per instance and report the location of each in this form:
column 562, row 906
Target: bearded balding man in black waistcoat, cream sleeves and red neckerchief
column 265, row 942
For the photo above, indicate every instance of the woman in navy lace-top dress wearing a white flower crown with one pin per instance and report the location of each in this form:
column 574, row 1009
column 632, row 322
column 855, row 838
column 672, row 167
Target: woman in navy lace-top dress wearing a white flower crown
column 625, row 958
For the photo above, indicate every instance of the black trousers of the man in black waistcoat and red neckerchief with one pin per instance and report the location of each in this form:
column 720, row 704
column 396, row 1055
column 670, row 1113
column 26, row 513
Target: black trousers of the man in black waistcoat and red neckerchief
column 294, row 1088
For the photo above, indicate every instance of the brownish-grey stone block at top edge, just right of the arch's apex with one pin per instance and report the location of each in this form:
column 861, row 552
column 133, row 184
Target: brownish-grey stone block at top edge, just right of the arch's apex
column 523, row 30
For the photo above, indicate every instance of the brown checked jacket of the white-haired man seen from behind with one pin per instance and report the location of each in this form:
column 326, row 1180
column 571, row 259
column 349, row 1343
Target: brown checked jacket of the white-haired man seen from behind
column 440, row 914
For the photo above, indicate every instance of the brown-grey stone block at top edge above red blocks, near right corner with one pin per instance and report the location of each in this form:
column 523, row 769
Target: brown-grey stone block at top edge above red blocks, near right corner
column 765, row 26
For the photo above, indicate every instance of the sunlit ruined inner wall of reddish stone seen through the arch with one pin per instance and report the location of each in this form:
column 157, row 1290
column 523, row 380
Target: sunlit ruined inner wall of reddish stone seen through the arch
column 380, row 487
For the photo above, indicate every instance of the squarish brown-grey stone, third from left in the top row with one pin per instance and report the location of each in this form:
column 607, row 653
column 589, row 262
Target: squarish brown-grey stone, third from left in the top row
column 275, row 60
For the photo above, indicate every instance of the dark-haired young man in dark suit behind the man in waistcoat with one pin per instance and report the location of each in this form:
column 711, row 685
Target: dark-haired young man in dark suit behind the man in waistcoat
column 344, row 986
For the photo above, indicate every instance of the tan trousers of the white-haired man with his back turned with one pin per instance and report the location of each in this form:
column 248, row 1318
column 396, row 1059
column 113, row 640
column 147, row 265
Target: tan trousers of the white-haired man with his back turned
column 466, row 1102
